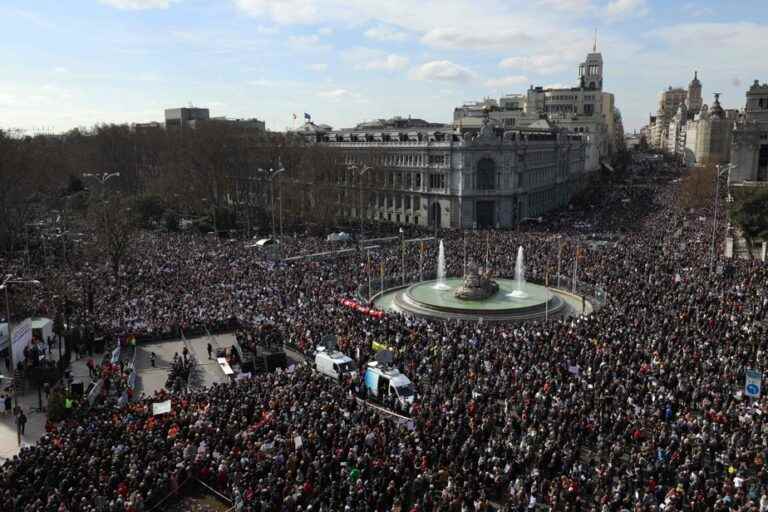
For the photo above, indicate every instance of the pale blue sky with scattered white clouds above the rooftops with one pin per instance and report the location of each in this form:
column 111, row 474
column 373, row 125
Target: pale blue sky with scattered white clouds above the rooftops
column 82, row 62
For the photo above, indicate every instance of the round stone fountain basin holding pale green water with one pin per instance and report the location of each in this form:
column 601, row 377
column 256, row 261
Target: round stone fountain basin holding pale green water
column 423, row 300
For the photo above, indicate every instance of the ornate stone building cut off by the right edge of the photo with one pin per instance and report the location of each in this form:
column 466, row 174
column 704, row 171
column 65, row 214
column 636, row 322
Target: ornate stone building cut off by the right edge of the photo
column 749, row 151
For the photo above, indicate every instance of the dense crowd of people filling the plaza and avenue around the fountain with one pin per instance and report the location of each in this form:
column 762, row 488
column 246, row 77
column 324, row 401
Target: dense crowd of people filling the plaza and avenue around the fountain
column 636, row 407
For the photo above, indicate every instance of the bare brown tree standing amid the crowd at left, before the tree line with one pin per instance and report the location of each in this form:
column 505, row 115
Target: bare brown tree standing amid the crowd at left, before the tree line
column 114, row 230
